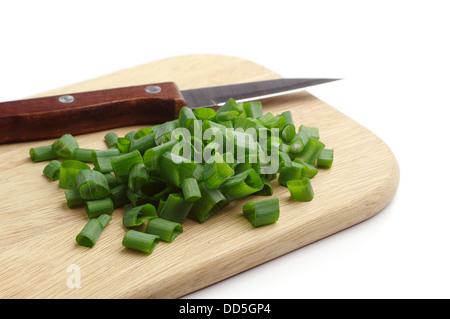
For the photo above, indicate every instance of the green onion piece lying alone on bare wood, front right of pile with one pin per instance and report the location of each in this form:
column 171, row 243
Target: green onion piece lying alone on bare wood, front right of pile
column 263, row 212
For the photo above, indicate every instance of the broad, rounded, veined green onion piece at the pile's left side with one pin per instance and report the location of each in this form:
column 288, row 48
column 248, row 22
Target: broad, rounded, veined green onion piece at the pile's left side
column 92, row 184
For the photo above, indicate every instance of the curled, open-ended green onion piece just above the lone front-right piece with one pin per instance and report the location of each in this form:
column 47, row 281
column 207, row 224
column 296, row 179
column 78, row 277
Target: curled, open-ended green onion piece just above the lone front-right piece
column 242, row 184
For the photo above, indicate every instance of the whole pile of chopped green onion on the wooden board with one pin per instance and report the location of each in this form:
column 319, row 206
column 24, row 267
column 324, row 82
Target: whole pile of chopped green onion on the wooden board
column 190, row 167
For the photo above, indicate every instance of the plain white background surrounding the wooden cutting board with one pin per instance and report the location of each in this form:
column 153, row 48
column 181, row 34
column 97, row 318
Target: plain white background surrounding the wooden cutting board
column 394, row 58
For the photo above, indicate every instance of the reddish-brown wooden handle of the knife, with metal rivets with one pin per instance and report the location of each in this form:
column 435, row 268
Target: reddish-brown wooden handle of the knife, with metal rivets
column 77, row 113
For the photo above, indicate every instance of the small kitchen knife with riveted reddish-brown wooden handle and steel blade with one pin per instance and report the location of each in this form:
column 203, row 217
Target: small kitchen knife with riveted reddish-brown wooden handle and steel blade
column 85, row 112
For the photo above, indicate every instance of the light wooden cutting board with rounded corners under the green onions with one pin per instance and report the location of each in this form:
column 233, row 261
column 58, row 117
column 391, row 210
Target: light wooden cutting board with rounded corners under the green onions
column 39, row 257
